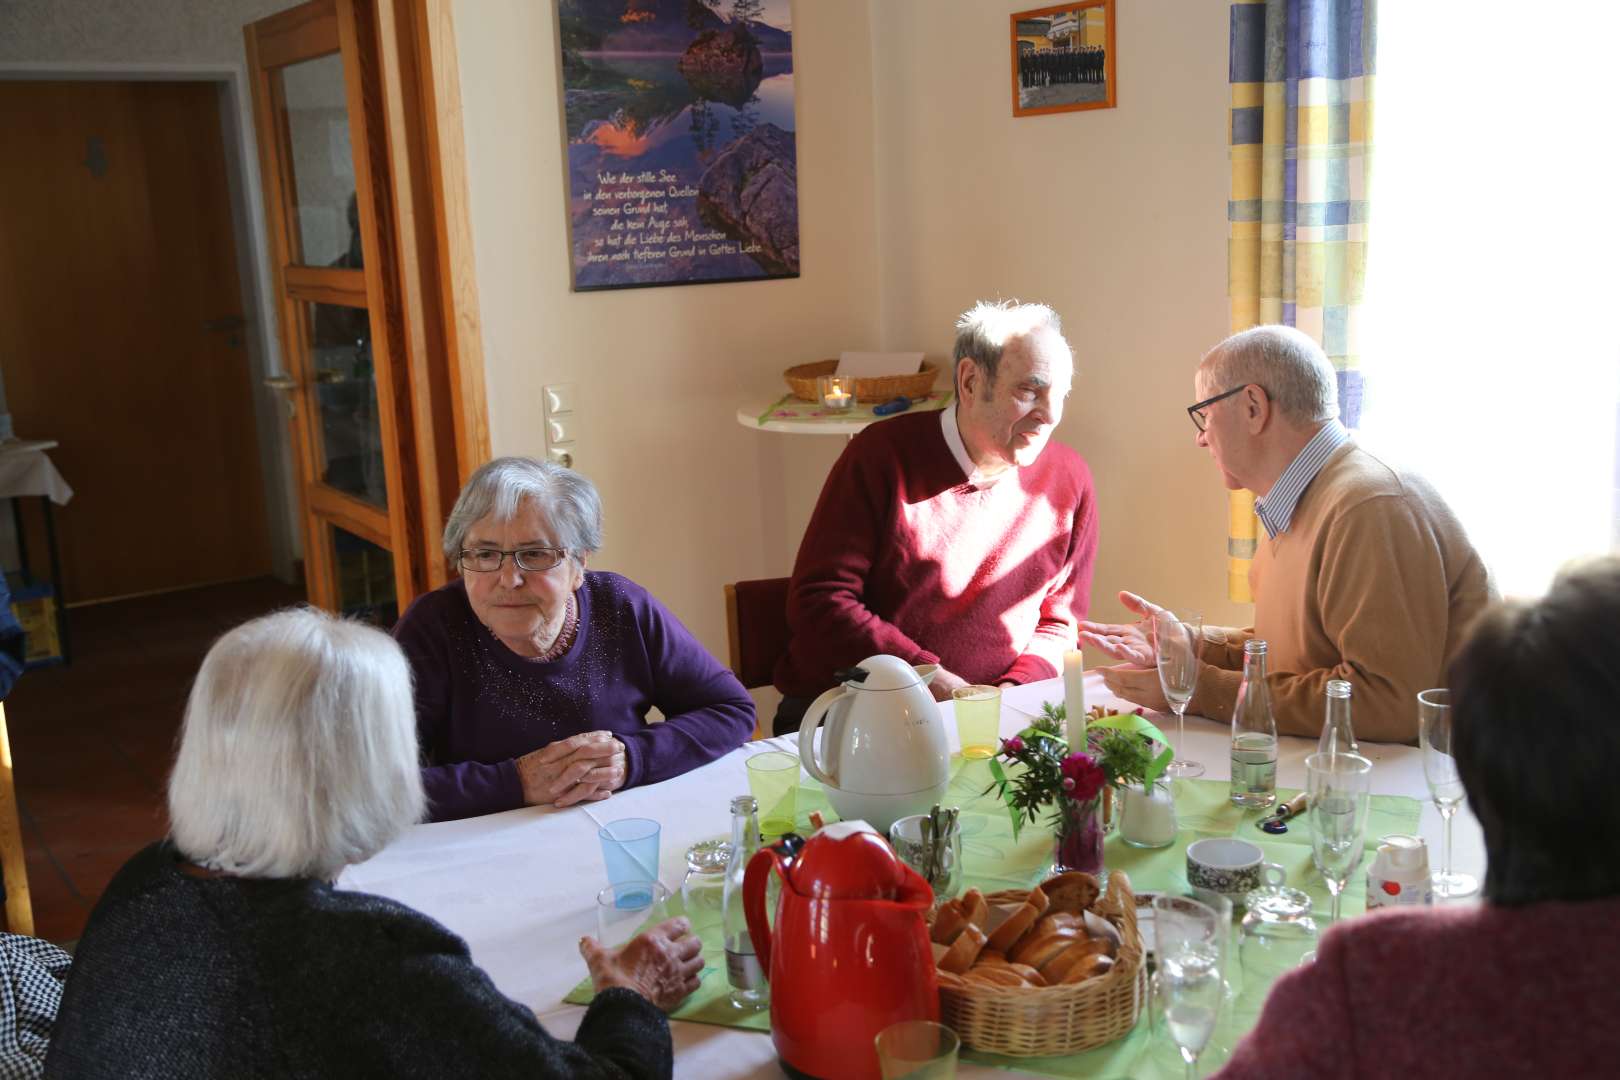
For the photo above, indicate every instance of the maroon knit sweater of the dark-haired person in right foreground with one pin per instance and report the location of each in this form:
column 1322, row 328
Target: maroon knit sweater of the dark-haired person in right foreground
column 1457, row 992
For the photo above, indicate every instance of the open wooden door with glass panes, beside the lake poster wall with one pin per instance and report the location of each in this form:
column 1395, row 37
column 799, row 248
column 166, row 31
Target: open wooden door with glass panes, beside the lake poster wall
column 328, row 210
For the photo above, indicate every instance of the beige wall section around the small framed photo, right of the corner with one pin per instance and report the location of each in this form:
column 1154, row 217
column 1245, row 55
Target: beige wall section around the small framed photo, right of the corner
column 1117, row 218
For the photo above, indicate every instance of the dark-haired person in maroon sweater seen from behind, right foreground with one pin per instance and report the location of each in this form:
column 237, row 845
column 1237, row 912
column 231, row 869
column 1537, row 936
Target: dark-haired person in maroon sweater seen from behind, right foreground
column 1524, row 985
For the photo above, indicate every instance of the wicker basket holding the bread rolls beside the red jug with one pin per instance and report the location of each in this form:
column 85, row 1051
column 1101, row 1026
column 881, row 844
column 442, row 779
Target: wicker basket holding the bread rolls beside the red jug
column 1039, row 1023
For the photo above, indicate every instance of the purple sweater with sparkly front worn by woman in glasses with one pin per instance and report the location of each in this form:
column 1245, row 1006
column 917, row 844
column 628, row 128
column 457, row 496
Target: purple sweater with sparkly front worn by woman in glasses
column 480, row 707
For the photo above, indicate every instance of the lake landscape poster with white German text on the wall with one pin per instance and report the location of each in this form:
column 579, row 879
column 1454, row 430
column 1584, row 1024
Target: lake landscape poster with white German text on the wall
column 683, row 166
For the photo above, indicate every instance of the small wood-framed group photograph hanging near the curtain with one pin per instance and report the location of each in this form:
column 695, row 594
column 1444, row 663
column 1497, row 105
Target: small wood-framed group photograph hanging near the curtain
column 1064, row 59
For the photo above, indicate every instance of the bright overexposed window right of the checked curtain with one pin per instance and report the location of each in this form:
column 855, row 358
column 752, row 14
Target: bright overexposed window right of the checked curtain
column 1491, row 344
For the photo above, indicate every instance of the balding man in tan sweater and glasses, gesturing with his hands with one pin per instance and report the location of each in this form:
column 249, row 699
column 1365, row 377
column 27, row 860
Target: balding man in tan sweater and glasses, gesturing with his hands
column 1365, row 574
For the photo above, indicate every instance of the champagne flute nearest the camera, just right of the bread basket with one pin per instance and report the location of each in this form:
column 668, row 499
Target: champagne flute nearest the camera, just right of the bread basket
column 1192, row 979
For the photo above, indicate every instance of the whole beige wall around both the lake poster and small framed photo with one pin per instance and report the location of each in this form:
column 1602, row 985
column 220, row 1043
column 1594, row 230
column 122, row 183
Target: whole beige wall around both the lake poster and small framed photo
column 914, row 176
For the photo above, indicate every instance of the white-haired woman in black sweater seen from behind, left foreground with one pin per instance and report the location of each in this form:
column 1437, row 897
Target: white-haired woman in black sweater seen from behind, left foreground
column 226, row 951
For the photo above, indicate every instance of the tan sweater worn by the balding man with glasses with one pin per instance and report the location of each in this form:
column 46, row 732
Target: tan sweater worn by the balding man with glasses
column 1375, row 582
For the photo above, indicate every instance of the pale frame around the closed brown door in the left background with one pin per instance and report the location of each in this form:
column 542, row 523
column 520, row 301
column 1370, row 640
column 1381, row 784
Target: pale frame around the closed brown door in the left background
column 247, row 198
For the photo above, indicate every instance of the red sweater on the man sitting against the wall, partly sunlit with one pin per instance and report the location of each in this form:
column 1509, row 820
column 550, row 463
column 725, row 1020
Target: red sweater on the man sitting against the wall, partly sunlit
column 903, row 556
